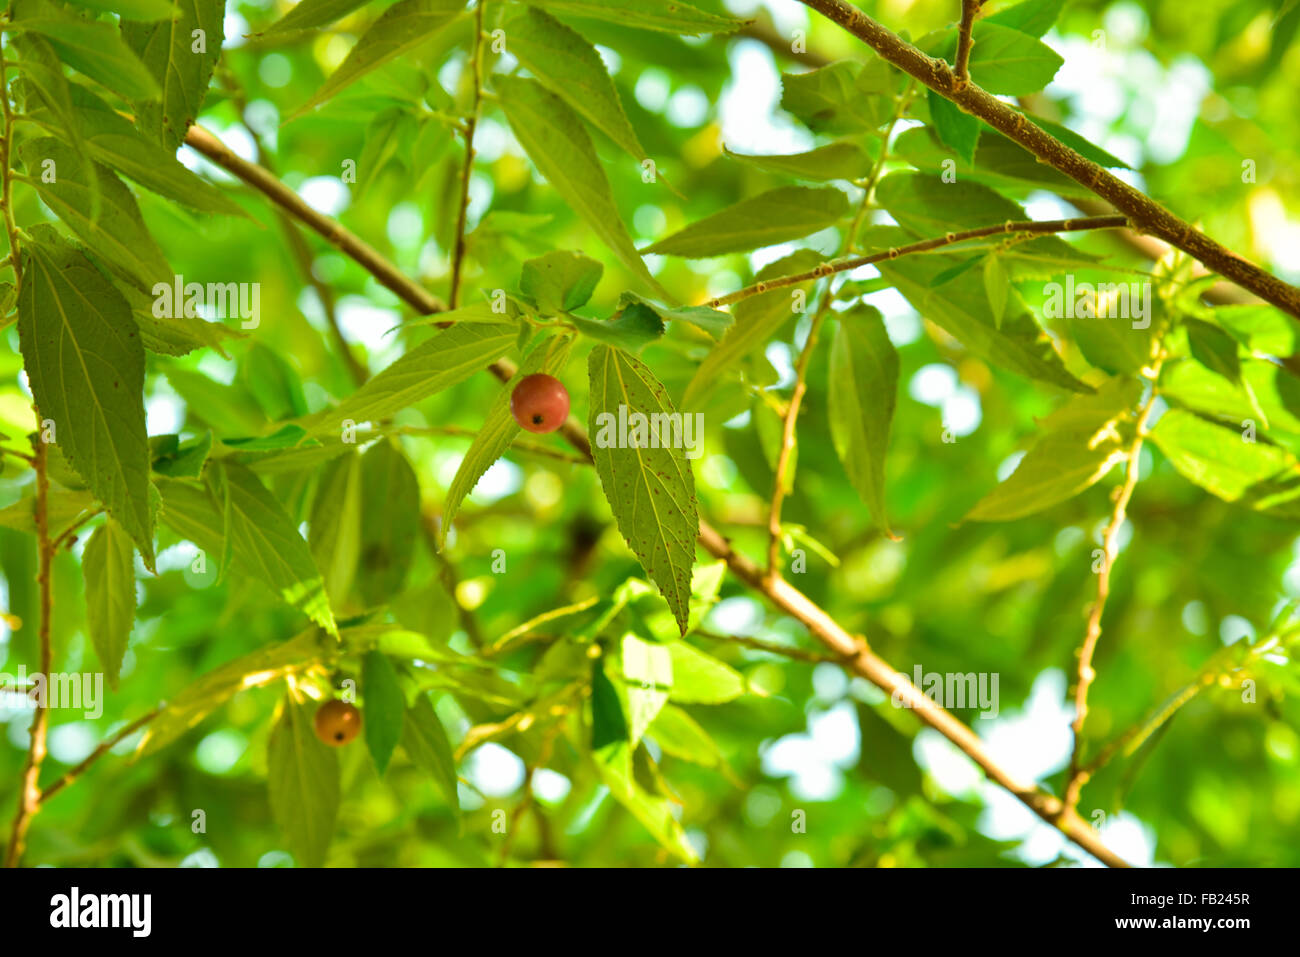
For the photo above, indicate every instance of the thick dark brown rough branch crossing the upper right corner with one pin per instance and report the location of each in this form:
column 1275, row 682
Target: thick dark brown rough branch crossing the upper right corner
column 1145, row 214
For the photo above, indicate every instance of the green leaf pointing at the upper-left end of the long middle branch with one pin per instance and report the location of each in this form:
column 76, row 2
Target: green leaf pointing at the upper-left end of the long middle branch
column 112, row 141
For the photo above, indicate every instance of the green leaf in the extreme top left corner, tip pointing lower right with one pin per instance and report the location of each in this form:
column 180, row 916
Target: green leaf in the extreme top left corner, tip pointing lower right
column 90, row 47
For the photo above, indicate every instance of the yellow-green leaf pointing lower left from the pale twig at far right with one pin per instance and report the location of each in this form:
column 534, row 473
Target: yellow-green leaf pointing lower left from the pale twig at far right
column 1080, row 447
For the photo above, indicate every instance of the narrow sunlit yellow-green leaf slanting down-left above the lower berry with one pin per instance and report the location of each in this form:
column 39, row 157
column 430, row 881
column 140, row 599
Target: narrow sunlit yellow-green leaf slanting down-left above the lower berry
column 255, row 670
